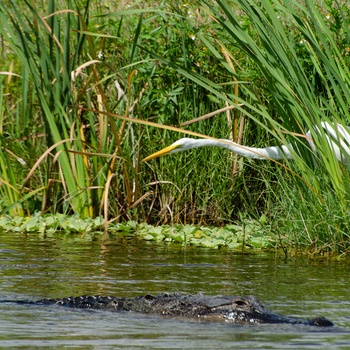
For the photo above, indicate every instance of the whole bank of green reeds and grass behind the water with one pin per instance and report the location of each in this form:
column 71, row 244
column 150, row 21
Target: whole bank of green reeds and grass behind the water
column 88, row 90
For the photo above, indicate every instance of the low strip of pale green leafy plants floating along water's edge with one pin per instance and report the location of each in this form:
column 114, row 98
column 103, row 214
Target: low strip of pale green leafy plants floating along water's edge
column 251, row 236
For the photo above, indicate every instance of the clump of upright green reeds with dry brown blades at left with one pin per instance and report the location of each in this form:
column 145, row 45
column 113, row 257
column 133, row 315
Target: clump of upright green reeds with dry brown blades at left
column 58, row 58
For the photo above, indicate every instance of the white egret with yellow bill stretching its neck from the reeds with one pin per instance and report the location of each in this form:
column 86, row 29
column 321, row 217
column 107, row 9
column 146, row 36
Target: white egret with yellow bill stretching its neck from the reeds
column 338, row 137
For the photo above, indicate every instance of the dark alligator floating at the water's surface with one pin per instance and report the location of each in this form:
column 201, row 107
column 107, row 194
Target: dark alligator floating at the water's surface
column 198, row 306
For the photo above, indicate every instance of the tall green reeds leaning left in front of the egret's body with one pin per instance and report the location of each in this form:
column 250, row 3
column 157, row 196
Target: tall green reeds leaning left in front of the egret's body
column 307, row 82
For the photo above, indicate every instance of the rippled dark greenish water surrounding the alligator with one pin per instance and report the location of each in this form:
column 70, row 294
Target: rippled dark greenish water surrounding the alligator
column 34, row 268
